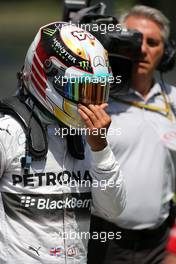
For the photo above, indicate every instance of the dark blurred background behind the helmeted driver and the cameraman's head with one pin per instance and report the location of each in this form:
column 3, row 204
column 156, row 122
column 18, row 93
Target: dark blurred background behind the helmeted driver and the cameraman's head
column 21, row 19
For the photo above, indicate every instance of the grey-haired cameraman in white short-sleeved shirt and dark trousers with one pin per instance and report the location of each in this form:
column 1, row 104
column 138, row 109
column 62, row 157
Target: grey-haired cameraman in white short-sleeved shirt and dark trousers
column 146, row 150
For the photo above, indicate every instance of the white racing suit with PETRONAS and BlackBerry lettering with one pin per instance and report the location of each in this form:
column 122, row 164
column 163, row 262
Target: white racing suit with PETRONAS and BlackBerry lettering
column 44, row 215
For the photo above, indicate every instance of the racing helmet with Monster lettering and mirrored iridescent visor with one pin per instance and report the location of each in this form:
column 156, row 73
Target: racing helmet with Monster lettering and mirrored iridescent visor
column 64, row 66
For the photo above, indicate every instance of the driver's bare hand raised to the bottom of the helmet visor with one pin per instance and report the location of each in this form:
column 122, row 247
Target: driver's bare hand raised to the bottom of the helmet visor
column 98, row 122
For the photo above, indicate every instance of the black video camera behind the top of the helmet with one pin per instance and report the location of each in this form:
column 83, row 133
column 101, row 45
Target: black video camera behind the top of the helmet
column 121, row 42
